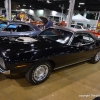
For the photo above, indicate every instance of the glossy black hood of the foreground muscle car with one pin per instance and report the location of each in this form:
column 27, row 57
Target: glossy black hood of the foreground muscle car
column 11, row 47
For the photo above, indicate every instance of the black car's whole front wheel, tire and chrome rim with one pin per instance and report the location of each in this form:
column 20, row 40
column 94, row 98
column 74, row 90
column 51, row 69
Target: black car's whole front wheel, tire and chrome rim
column 39, row 73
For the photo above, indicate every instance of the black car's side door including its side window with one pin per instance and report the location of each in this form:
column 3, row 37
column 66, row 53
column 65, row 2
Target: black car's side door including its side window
column 84, row 51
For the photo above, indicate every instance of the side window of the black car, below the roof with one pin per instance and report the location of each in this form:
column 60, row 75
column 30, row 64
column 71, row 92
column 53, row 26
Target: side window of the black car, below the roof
column 83, row 38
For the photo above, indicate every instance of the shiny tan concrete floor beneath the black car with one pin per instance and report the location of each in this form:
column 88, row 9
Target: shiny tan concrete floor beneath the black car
column 78, row 82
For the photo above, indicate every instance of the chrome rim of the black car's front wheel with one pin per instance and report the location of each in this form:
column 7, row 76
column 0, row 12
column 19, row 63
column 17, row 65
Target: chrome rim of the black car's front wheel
column 40, row 73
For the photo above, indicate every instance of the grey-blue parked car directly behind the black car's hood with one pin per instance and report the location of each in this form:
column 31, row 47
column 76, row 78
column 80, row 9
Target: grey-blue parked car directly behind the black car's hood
column 18, row 28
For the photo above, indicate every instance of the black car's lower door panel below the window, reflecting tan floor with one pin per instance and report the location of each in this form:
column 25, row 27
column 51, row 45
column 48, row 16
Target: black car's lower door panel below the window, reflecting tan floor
column 77, row 54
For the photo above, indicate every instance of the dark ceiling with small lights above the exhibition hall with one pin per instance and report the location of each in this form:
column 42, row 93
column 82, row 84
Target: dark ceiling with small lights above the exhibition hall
column 90, row 5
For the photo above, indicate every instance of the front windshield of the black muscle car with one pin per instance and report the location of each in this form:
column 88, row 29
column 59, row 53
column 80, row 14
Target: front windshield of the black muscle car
column 58, row 35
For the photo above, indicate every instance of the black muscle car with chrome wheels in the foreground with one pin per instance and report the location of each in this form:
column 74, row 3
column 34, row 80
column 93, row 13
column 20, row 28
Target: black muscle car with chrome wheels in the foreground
column 54, row 48
